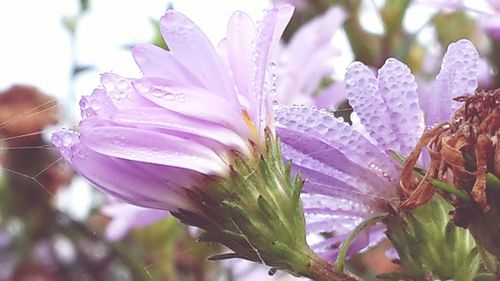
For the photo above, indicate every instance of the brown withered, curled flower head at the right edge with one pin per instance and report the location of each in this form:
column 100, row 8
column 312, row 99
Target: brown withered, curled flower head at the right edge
column 462, row 152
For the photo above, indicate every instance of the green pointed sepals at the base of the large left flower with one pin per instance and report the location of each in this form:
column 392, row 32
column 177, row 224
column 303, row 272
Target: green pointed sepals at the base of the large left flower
column 256, row 212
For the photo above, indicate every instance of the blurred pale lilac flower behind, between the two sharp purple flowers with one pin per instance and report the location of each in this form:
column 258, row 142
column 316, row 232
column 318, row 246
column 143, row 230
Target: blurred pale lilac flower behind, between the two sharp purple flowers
column 307, row 59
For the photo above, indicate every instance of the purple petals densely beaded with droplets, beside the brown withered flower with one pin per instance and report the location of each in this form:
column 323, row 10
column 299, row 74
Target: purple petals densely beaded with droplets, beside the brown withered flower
column 349, row 171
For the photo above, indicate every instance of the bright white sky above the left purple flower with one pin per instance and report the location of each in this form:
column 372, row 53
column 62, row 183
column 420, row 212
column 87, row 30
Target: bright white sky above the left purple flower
column 35, row 47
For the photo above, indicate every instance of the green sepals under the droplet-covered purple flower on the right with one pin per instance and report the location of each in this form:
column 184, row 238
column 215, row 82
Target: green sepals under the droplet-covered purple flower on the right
column 429, row 243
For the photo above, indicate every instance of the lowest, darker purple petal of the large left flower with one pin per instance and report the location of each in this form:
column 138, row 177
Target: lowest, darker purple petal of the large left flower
column 134, row 182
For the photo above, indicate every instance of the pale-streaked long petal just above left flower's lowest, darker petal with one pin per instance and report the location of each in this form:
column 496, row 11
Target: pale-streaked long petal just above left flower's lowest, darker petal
column 150, row 147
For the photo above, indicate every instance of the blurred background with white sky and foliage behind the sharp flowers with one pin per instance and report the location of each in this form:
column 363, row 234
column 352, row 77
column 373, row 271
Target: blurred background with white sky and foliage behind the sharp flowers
column 55, row 226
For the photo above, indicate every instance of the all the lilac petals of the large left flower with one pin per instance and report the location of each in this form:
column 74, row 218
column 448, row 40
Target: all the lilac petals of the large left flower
column 145, row 141
